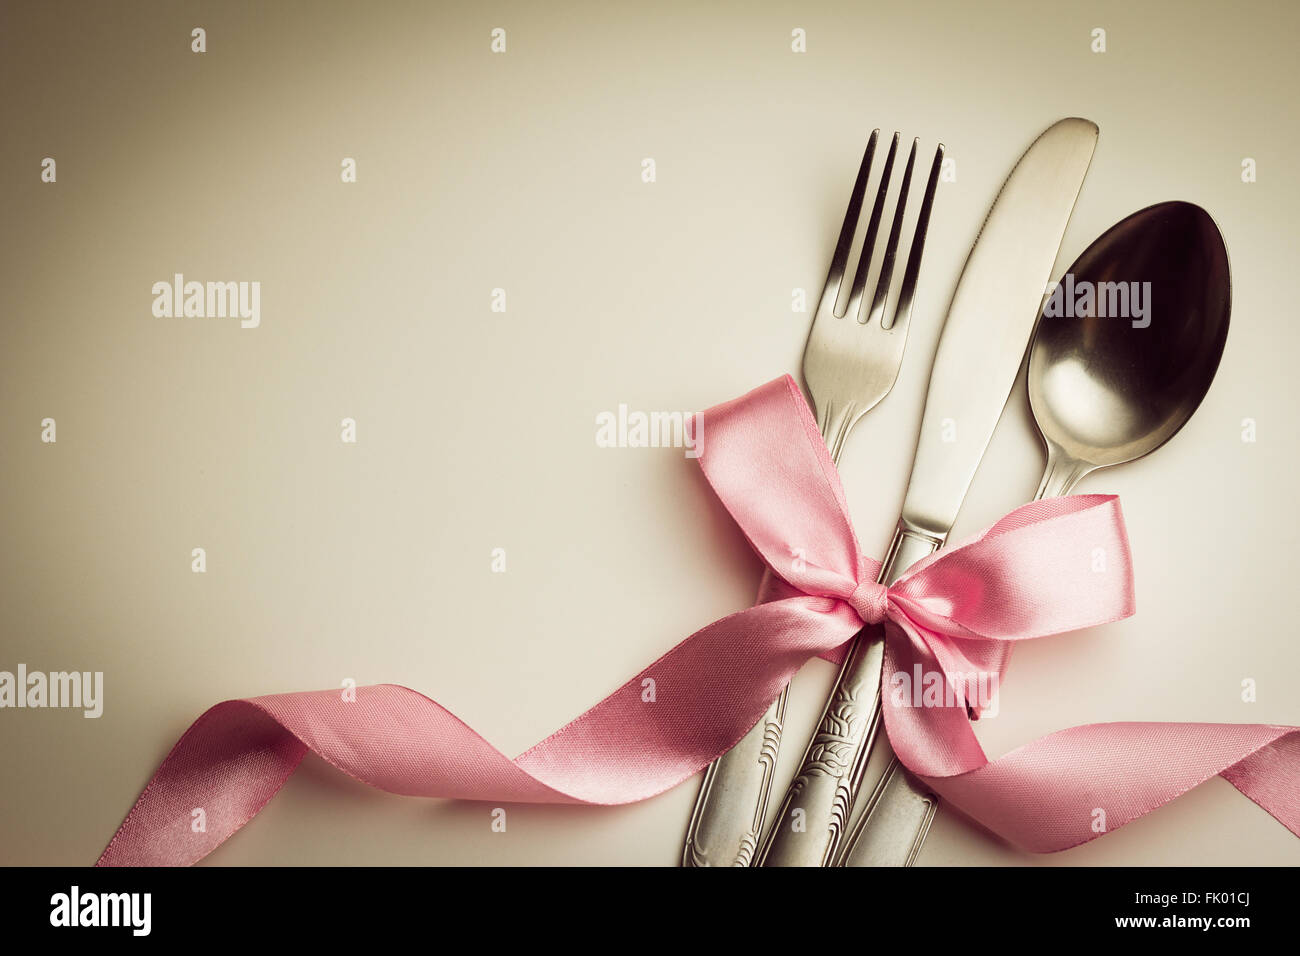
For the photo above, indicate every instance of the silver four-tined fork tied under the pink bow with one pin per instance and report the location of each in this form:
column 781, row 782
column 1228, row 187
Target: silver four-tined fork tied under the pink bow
column 851, row 362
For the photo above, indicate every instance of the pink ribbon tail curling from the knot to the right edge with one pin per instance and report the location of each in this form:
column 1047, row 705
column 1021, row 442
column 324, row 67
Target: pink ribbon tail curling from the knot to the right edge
column 1076, row 785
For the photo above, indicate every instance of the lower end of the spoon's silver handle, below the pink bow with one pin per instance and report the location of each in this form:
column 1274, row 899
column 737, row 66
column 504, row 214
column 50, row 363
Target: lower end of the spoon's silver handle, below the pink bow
column 894, row 824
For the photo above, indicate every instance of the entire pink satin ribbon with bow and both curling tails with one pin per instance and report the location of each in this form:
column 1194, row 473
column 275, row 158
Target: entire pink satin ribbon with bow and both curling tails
column 1047, row 568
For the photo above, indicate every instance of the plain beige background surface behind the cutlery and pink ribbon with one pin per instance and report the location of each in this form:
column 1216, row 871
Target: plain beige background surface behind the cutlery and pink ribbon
column 522, row 171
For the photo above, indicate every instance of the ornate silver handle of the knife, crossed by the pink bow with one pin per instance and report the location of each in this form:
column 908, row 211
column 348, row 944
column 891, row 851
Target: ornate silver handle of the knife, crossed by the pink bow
column 814, row 817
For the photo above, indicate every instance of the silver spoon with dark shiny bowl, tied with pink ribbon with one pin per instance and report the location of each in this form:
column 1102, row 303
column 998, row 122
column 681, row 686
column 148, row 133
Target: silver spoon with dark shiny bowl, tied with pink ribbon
column 1124, row 353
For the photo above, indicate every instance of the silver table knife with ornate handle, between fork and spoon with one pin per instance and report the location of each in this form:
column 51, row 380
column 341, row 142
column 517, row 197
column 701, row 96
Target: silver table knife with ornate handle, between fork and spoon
column 989, row 326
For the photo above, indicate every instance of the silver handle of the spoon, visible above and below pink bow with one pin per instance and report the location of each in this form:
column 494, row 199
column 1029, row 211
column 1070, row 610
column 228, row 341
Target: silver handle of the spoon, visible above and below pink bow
column 898, row 817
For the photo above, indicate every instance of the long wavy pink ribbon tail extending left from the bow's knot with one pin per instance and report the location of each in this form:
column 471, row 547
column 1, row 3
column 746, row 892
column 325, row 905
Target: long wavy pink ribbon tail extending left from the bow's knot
column 661, row 728
